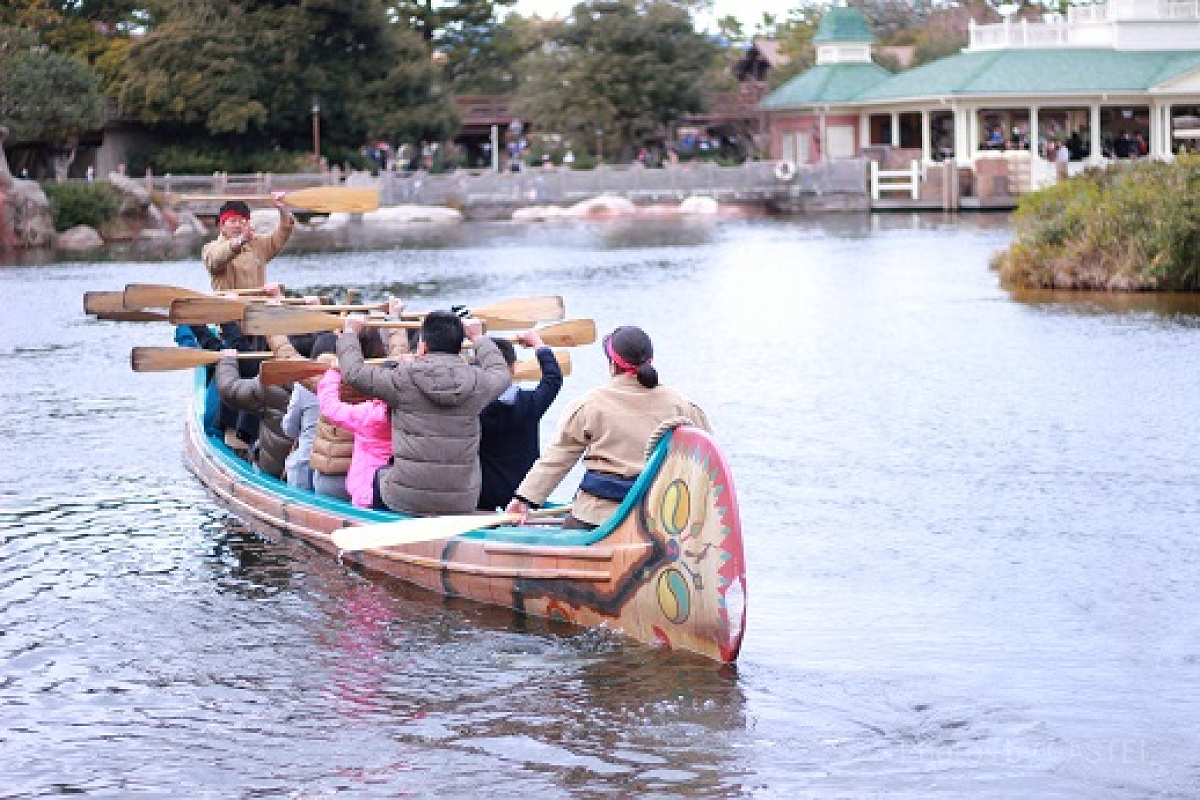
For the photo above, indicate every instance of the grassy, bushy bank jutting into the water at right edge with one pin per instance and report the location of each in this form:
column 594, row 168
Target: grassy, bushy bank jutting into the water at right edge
column 1132, row 228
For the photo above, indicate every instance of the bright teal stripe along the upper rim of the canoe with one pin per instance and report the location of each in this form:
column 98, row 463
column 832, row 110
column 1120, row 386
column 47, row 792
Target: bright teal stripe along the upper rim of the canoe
column 537, row 537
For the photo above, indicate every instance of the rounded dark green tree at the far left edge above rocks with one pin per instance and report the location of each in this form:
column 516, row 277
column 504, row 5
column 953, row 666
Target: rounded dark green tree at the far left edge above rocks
column 47, row 99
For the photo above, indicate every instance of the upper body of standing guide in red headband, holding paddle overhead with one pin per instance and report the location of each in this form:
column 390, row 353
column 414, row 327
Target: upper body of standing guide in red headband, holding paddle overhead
column 237, row 258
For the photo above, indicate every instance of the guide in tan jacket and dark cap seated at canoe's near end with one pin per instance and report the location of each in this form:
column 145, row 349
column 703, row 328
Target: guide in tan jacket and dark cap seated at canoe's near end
column 609, row 428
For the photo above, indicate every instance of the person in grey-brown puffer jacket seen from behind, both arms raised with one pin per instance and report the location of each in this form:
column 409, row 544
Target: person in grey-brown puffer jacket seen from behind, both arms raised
column 435, row 402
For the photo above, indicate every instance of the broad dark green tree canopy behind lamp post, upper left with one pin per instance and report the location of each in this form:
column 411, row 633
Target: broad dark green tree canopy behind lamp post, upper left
column 262, row 75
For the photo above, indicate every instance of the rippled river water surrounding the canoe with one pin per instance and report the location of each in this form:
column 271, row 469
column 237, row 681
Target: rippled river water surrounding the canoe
column 971, row 536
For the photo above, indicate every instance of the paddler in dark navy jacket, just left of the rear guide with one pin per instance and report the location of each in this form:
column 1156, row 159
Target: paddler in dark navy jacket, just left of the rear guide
column 509, row 443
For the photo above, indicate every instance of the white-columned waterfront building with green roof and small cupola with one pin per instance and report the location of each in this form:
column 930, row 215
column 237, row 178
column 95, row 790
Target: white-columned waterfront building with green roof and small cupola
column 1108, row 81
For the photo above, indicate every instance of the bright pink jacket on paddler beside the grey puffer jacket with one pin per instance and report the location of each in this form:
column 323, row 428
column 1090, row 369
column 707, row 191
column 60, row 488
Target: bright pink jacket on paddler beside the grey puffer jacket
column 373, row 436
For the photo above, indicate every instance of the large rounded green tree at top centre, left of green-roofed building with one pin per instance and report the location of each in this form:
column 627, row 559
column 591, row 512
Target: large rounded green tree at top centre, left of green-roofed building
column 627, row 68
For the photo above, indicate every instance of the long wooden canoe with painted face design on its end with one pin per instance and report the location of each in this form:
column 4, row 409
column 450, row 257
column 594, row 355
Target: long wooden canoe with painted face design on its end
column 668, row 570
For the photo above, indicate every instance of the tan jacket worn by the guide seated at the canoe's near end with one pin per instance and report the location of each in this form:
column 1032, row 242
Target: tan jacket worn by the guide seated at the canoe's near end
column 609, row 429
